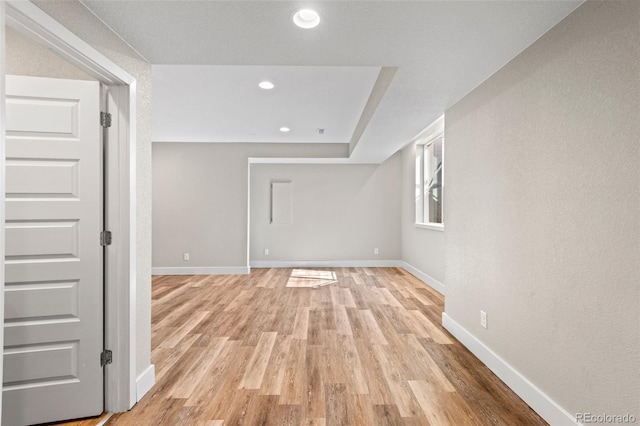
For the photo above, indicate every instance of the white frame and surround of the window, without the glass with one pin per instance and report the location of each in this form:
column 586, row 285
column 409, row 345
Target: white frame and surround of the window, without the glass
column 427, row 137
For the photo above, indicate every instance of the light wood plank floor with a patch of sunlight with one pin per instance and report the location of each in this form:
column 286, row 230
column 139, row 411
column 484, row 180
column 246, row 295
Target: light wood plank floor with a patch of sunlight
column 366, row 349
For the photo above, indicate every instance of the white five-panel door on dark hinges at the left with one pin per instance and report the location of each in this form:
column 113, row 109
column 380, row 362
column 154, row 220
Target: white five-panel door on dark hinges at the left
column 54, row 276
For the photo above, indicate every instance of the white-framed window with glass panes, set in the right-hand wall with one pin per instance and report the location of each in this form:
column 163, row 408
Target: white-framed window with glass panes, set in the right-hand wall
column 429, row 176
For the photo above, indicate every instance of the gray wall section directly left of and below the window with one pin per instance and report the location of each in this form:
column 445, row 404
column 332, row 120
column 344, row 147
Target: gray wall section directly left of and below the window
column 421, row 248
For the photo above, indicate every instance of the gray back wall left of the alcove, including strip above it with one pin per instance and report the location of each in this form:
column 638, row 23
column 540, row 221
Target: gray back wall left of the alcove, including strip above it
column 200, row 199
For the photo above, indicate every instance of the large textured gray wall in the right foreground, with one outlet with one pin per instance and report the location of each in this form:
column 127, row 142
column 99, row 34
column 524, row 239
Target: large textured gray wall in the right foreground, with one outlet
column 542, row 211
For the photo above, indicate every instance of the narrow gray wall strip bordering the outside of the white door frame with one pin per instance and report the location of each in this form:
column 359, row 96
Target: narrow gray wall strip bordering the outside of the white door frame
column 78, row 19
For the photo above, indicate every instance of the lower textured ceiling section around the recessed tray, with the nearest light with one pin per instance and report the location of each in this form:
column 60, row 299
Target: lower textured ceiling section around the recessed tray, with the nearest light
column 442, row 49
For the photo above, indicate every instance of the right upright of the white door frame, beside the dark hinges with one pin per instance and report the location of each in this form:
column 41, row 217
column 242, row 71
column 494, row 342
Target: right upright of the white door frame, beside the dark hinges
column 120, row 300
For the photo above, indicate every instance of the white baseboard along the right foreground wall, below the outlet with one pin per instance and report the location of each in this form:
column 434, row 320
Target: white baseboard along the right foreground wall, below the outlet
column 547, row 408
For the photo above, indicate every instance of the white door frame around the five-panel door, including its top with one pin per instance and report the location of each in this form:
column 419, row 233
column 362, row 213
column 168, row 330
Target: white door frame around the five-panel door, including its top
column 120, row 279
